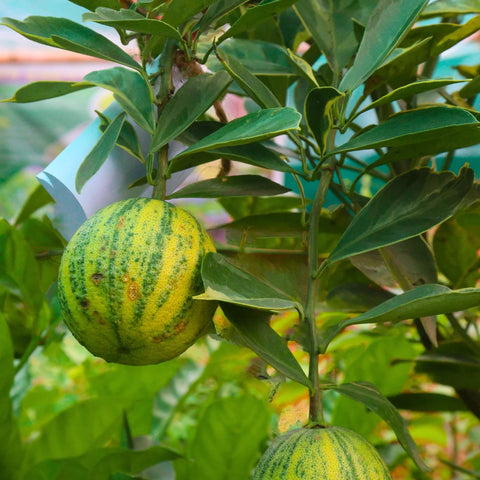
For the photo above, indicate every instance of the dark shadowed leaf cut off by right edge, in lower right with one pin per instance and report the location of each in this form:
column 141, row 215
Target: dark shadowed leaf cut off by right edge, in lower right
column 452, row 363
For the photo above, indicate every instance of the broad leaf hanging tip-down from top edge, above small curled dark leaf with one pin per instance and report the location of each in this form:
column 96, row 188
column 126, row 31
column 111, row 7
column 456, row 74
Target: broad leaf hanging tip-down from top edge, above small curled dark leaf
column 332, row 28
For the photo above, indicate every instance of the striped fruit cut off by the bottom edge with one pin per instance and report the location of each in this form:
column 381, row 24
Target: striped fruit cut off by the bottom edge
column 323, row 453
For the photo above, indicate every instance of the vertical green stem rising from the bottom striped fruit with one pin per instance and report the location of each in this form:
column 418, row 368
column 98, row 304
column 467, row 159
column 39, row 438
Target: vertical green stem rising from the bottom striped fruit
column 316, row 407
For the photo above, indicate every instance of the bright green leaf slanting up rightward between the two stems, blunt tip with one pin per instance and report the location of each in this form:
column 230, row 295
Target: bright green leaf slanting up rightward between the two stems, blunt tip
column 253, row 127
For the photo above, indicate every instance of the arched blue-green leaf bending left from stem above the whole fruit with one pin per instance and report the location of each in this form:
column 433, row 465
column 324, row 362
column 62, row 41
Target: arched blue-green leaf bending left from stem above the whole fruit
column 130, row 90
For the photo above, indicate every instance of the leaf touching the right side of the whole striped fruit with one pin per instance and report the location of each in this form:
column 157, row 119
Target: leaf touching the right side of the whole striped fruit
column 226, row 283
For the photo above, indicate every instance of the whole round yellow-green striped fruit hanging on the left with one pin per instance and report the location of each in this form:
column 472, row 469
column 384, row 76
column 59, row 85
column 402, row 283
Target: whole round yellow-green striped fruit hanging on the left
column 127, row 278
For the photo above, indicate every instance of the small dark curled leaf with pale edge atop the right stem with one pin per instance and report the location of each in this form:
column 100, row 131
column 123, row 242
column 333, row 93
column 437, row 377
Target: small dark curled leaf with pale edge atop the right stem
column 318, row 113
